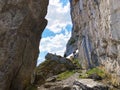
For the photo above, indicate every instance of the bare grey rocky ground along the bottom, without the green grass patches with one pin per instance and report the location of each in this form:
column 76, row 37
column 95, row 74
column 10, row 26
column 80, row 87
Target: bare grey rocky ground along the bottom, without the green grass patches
column 75, row 82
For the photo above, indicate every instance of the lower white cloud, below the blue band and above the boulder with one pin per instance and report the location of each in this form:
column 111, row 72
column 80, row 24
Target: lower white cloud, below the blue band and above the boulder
column 56, row 44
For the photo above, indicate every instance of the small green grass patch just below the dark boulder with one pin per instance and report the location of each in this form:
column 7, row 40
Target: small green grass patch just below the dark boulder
column 65, row 75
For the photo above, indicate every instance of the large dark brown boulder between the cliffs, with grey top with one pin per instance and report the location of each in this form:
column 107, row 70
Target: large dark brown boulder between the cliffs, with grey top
column 53, row 65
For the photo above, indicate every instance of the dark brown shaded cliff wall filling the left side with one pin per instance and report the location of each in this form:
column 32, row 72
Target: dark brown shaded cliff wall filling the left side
column 21, row 25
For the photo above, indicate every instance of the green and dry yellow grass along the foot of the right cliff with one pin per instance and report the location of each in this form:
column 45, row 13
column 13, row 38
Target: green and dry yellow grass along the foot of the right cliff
column 107, row 78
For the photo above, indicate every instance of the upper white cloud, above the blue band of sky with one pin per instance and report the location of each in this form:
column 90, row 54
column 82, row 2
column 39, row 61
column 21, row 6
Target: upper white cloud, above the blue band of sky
column 58, row 16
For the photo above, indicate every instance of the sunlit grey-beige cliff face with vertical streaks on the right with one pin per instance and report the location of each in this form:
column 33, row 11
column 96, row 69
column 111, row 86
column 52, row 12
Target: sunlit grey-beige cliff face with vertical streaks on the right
column 96, row 25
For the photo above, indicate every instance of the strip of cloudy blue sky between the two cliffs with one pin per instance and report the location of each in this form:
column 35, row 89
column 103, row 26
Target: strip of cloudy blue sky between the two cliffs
column 58, row 30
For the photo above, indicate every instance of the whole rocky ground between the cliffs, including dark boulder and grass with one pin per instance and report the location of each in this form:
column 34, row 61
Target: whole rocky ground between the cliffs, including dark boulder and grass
column 54, row 74
